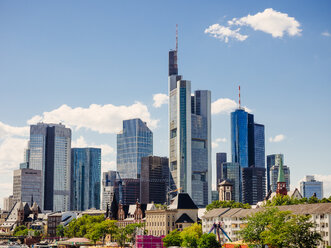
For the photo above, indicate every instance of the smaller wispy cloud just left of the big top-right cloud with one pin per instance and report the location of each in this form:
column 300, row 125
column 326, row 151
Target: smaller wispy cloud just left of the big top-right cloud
column 224, row 33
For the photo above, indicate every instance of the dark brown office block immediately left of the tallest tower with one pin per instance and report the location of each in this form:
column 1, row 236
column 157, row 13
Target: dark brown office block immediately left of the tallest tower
column 154, row 179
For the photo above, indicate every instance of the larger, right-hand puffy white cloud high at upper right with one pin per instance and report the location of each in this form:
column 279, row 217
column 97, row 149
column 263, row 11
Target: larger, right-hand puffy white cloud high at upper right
column 271, row 22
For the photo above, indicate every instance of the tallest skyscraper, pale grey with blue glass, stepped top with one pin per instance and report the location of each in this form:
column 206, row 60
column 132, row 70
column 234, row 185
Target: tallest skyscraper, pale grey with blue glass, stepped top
column 190, row 136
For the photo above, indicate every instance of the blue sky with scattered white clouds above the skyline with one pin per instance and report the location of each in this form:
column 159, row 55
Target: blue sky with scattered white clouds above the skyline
column 114, row 54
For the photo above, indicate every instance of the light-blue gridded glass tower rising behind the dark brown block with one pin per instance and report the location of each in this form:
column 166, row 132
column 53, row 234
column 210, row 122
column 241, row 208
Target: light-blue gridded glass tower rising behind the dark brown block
column 134, row 142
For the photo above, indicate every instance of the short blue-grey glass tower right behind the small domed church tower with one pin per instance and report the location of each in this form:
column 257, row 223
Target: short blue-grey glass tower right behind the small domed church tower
column 231, row 172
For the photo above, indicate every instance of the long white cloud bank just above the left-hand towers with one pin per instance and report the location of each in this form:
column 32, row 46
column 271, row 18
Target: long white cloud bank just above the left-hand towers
column 100, row 118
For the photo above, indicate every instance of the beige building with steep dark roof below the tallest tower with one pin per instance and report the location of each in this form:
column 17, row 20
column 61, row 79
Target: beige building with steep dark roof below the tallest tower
column 181, row 213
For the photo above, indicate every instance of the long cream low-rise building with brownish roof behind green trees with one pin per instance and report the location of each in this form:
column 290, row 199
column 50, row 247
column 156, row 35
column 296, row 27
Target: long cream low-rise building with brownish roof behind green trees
column 232, row 220
